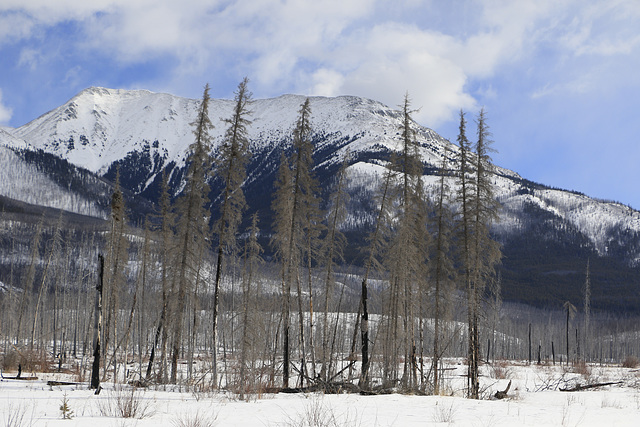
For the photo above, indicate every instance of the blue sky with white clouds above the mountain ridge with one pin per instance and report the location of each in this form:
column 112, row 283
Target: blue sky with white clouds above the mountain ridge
column 560, row 79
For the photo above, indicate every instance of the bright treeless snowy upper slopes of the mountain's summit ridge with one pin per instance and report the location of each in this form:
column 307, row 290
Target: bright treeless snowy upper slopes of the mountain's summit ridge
column 100, row 126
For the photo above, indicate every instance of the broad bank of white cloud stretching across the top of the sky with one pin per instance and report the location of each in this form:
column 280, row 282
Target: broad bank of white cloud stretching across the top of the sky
column 338, row 47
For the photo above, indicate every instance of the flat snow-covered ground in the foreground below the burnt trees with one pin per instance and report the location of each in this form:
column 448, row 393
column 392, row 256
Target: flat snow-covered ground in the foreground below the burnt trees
column 535, row 399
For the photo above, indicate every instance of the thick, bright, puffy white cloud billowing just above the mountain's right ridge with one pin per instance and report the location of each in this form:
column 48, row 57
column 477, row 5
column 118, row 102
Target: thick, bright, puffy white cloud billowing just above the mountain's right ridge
column 392, row 59
